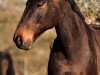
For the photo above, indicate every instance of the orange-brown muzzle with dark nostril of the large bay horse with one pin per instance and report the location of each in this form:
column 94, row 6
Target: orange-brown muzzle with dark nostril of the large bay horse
column 23, row 39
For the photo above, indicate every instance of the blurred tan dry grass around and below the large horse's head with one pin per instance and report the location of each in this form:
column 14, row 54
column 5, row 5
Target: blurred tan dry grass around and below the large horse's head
column 34, row 61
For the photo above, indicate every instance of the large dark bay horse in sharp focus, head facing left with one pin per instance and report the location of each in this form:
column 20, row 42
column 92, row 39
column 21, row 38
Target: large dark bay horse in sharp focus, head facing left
column 76, row 49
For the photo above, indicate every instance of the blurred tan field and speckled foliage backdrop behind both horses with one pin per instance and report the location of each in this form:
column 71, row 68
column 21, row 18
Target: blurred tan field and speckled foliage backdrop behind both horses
column 35, row 61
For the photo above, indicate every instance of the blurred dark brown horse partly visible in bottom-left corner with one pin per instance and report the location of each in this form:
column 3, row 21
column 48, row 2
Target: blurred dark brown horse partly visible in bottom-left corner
column 6, row 64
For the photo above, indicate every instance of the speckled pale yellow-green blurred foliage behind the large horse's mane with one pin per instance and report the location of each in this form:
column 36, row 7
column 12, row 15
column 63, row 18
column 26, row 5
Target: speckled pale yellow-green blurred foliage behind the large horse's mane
column 89, row 6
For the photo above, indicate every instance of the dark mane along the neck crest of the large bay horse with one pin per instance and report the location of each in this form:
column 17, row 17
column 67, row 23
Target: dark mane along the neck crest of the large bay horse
column 75, row 8
